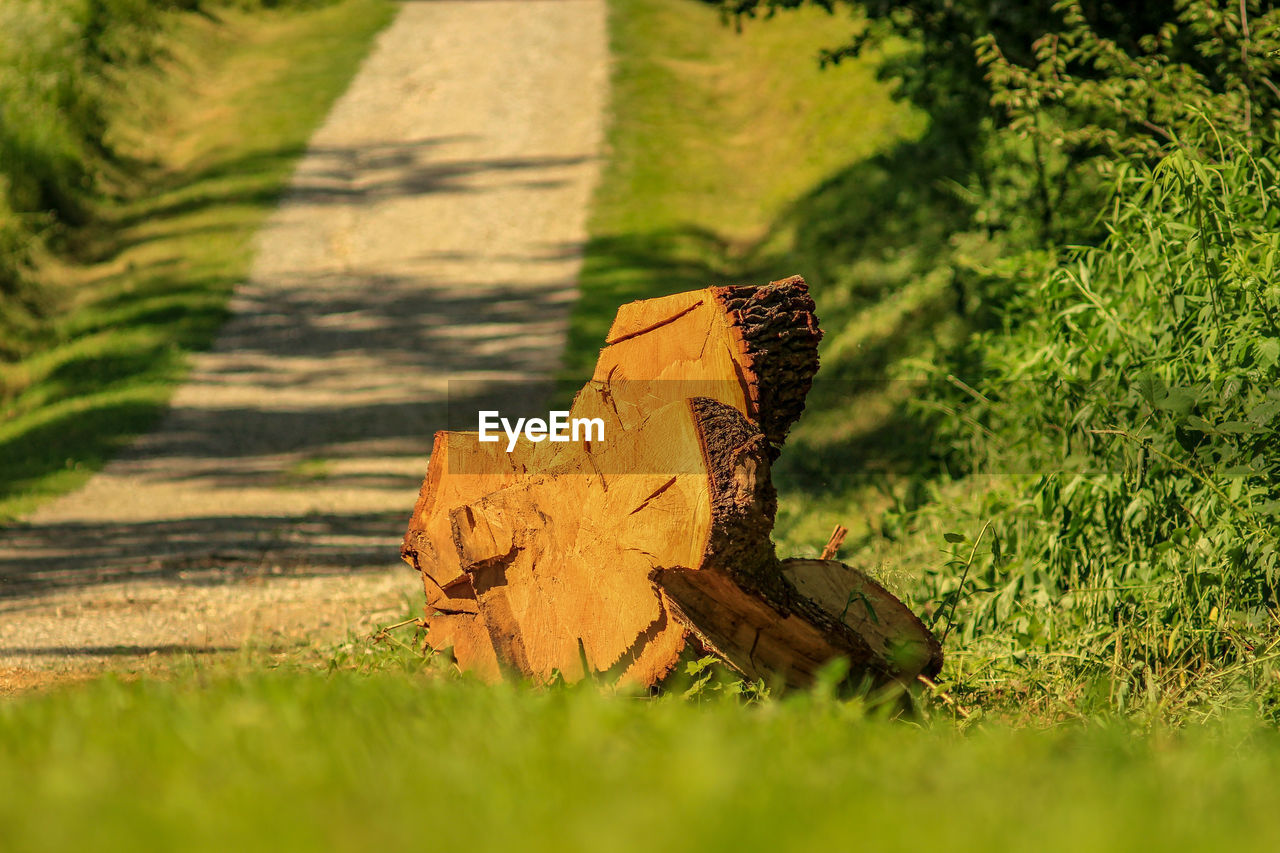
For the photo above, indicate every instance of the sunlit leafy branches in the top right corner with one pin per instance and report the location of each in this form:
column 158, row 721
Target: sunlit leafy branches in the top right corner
column 1090, row 97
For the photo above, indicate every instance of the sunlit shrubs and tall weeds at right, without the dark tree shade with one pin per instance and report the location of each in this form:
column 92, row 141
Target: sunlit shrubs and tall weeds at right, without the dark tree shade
column 1117, row 410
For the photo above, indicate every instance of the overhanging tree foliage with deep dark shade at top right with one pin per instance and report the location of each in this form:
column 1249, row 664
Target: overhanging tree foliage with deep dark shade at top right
column 1035, row 99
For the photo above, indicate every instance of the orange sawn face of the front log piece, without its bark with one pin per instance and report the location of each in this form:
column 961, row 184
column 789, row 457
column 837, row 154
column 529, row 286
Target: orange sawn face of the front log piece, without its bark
column 561, row 564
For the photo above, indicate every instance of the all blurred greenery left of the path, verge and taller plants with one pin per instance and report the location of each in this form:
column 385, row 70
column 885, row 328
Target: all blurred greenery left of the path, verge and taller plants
column 143, row 144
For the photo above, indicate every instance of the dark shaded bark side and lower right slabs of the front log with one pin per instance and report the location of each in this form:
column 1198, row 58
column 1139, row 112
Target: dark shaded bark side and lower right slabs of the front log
column 744, row 605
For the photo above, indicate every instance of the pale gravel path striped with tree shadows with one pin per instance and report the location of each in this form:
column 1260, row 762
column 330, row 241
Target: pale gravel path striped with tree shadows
column 432, row 234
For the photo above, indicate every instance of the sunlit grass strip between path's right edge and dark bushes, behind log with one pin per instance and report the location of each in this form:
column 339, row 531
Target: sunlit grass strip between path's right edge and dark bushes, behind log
column 714, row 136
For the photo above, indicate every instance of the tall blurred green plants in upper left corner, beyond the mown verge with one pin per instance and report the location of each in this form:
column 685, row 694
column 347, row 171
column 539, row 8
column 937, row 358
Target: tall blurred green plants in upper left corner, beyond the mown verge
column 62, row 67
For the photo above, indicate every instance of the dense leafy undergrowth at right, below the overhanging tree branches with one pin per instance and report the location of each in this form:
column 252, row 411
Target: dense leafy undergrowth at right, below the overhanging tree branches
column 1130, row 412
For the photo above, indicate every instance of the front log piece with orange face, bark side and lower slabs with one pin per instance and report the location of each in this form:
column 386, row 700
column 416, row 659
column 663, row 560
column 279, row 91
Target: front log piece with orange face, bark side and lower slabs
column 602, row 586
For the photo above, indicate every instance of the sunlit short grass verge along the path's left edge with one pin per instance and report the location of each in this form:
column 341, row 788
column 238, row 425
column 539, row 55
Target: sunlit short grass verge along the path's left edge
column 213, row 135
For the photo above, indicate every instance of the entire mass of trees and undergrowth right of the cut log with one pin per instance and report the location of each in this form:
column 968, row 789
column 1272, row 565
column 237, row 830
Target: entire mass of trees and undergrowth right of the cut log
column 1104, row 408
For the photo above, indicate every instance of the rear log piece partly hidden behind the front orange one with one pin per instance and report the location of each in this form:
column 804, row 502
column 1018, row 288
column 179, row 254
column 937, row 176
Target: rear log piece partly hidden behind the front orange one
column 742, row 335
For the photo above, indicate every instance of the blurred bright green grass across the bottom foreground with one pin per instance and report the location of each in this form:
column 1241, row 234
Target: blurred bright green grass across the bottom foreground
column 395, row 756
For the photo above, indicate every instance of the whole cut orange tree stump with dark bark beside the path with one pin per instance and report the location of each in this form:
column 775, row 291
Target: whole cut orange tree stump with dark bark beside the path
column 620, row 558
